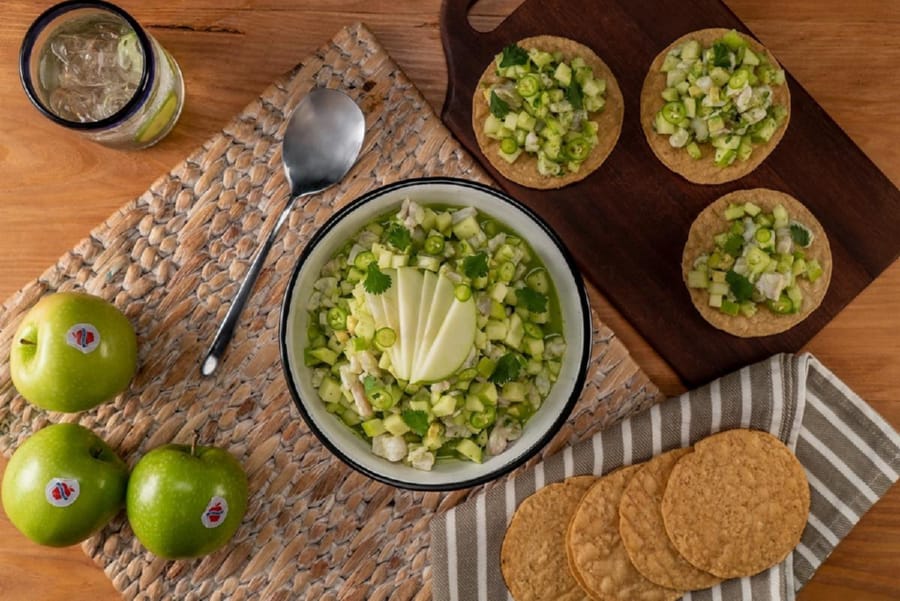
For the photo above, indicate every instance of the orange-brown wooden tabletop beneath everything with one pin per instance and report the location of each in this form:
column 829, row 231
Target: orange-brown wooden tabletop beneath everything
column 54, row 187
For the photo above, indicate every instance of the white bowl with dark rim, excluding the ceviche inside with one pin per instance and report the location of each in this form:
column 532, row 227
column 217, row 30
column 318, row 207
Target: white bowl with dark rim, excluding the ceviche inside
column 453, row 474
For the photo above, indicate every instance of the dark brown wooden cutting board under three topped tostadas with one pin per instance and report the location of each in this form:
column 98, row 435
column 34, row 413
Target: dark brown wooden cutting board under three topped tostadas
column 627, row 223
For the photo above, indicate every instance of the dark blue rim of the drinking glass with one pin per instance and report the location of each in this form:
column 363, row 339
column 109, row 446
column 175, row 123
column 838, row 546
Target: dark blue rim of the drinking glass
column 40, row 24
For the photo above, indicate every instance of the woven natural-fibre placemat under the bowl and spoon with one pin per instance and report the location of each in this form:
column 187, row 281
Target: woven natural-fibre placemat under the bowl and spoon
column 172, row 260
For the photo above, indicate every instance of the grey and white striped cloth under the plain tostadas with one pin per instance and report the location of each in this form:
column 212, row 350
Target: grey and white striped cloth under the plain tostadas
column 851, row 455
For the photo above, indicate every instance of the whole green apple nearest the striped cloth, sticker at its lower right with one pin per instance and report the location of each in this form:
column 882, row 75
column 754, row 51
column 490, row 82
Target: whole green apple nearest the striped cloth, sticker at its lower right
column 185, row 501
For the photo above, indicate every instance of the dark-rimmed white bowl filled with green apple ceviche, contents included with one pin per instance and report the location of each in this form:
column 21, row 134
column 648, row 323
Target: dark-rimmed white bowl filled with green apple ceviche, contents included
column 435, row 334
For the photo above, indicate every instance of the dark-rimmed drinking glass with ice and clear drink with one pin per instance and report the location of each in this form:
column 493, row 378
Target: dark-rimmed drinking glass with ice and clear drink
column 90, row 67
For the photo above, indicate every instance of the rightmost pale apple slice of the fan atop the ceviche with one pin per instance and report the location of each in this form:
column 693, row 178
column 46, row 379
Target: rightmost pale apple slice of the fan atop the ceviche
column 451, row 345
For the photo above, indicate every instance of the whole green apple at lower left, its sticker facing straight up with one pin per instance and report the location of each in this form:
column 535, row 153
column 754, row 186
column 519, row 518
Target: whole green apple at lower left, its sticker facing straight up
column 63, row 484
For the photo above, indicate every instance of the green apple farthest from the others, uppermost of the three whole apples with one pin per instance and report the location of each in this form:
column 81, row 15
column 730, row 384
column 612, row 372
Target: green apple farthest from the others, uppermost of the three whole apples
column 72, row 352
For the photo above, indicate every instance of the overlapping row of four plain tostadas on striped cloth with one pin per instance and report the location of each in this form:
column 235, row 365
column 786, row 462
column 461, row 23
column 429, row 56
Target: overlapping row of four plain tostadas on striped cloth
column 733, row 505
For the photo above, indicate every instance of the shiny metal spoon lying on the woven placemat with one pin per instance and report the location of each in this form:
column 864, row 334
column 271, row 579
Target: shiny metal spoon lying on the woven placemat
column 321, row 144
